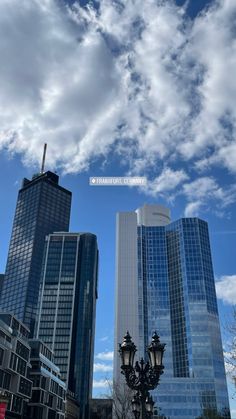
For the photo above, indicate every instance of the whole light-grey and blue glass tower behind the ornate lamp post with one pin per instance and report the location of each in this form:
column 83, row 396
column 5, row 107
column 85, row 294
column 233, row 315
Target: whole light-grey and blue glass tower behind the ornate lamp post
column 165, row 282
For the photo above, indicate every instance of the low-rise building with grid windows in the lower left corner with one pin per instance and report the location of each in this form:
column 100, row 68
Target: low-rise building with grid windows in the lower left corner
column 30, row 384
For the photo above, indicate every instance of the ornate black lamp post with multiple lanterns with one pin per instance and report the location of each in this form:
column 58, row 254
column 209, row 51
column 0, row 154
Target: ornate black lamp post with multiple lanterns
column 144, row 376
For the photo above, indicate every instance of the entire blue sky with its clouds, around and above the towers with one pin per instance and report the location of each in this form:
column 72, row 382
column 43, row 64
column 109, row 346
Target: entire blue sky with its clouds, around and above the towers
column 133, row 88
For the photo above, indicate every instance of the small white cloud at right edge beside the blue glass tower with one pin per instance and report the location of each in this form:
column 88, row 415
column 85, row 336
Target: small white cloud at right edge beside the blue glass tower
column 226, row 289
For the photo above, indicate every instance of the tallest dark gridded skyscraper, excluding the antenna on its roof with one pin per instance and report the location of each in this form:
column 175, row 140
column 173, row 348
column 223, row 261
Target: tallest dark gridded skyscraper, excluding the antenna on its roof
column 43, row 206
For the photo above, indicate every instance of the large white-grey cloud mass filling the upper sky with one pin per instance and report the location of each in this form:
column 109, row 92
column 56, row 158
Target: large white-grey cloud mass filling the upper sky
column 133, row 78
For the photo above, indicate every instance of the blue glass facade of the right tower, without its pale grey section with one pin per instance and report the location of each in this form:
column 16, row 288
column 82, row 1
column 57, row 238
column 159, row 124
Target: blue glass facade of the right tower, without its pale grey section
column 177, row 298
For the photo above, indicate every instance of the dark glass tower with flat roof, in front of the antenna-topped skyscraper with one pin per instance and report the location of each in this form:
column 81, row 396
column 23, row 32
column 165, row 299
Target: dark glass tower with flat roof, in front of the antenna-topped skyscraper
column 66, row 312
